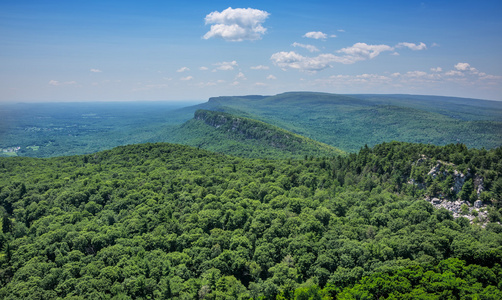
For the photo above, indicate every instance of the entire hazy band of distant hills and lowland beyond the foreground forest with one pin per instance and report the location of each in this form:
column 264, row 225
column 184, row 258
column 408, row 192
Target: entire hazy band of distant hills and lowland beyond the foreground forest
column 345, row 122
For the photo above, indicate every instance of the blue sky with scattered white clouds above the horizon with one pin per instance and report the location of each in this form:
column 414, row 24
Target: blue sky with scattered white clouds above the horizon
column 54, row 51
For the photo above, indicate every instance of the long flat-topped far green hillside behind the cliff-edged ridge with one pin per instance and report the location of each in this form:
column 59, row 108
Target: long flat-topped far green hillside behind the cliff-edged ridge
column 348, row 122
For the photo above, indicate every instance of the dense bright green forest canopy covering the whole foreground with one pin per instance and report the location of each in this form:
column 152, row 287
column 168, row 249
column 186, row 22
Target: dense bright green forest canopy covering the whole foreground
column 164, row 221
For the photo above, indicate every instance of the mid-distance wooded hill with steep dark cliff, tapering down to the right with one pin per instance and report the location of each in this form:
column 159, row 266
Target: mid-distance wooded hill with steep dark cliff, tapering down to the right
column 226, row 133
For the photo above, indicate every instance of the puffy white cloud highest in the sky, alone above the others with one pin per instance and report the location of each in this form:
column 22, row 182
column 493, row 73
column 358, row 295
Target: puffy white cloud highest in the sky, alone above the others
column 236, row 24
